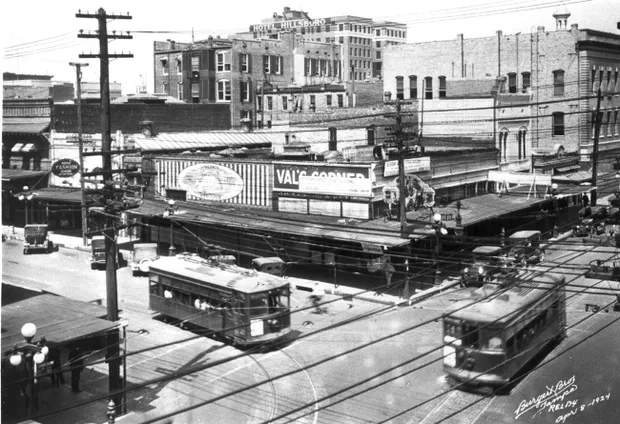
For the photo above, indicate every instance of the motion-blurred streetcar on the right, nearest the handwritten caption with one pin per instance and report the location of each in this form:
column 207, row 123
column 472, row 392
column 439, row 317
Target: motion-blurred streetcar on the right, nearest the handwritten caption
column 490, row 337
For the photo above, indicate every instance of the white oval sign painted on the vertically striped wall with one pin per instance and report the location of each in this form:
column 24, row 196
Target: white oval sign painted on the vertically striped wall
column 211, row 182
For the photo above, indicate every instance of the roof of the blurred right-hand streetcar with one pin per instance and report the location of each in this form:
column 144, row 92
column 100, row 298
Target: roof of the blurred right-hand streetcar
column 493, row 304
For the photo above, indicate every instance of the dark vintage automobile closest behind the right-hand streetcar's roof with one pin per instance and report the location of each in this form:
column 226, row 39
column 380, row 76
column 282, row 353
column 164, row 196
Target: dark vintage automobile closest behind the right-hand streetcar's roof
column 487, row 262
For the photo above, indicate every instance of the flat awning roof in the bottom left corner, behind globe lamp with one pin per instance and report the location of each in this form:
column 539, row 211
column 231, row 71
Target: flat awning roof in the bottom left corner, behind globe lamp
column 59, row 319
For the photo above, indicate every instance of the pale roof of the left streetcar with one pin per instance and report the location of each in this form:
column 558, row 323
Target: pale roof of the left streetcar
column 228, row 276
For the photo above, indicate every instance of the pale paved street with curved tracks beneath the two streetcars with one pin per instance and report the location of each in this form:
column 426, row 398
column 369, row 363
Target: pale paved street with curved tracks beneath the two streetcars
column 365, row 371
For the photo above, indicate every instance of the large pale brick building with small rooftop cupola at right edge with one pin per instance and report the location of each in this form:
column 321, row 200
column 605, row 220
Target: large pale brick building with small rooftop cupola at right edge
column 552, row 75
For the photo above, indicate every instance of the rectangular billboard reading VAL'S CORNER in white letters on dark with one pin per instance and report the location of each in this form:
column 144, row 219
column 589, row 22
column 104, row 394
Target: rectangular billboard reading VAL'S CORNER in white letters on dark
column 325, row 179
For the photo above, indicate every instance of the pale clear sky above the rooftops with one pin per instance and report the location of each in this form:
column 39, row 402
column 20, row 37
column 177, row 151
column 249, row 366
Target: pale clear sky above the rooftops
column 40, row 37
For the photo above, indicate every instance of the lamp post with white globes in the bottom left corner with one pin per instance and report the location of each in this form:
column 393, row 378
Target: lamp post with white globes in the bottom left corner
column 31, row 354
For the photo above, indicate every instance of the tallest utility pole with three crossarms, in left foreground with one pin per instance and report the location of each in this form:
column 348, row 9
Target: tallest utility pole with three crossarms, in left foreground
column 113, row 351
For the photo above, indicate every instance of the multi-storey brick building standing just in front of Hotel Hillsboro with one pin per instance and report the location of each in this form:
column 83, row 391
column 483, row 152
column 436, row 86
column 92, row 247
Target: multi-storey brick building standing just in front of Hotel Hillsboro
column 257, row 78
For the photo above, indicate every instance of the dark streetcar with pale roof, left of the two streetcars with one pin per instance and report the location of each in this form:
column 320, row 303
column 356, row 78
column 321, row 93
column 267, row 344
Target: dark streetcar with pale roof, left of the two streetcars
column 243, row 306
